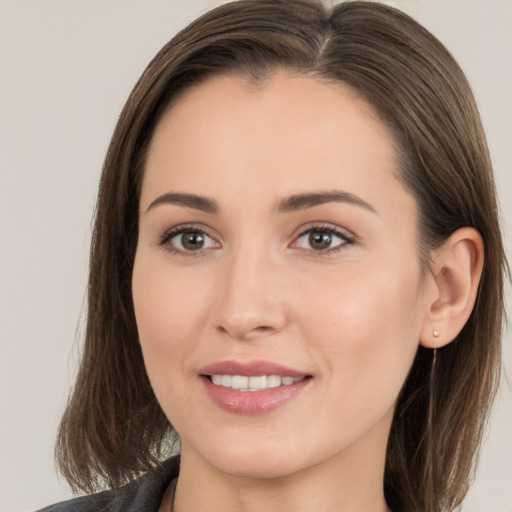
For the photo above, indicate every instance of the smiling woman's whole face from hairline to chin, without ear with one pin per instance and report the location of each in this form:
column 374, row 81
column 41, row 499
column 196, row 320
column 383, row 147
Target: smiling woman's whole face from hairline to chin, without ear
column 277, row 286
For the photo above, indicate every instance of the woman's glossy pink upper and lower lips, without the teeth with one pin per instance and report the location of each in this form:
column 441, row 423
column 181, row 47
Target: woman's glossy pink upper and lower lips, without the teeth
column 252, row 402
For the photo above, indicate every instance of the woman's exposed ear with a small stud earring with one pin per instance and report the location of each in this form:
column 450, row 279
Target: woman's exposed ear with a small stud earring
column 456, row 272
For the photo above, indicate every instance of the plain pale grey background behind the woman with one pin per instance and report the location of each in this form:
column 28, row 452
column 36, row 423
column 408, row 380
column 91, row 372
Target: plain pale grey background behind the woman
column 66, row 69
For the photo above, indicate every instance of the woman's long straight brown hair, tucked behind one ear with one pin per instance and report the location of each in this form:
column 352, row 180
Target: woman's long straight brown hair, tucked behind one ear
column 113, row 427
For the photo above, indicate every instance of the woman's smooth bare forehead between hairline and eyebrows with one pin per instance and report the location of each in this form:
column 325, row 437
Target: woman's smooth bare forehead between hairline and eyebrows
column 287, row 135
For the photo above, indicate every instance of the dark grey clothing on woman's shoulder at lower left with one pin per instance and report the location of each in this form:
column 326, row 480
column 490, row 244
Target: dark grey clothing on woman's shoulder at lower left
column 141, row 495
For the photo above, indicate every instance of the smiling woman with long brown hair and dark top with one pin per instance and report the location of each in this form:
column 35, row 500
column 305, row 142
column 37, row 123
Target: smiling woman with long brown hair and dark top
column 296, row 271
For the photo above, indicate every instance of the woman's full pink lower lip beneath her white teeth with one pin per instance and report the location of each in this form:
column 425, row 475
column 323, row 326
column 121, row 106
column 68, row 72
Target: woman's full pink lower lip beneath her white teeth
column 252, row 402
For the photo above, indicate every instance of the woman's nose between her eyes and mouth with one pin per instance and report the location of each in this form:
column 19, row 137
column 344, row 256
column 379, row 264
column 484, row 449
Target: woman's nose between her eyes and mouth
column 250, row 303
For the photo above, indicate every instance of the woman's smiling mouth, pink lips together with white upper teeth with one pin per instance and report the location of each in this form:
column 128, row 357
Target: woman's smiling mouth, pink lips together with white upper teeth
column 252, row 388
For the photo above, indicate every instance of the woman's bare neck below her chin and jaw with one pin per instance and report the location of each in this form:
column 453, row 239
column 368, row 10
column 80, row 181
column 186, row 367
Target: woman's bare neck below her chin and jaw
column 342, row 483
